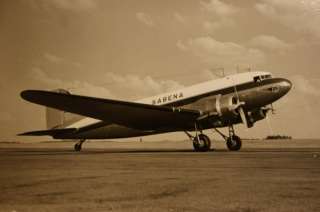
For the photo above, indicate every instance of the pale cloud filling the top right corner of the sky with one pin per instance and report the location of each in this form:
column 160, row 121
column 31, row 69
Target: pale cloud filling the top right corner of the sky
column 300, row 15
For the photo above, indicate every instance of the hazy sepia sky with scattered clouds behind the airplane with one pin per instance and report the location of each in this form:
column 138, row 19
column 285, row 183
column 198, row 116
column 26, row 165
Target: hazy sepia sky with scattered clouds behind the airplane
column 134, row 49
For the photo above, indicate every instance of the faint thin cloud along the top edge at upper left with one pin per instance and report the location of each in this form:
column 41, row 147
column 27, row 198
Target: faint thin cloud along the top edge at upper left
column 71, row 5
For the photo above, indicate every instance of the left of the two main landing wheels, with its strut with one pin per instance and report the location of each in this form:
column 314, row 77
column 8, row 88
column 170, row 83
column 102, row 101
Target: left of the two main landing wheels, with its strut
column 201, row 142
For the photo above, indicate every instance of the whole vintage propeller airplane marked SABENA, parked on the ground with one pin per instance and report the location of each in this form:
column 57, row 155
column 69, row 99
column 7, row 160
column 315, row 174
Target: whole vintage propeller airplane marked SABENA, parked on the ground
column 239, row 98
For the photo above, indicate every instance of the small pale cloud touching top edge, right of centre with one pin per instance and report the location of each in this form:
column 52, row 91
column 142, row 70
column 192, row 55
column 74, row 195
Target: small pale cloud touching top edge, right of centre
column 219, row 8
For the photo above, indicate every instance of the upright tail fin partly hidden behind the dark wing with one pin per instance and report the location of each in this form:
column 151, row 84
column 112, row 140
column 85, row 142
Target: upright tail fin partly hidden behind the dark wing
column 57, row 119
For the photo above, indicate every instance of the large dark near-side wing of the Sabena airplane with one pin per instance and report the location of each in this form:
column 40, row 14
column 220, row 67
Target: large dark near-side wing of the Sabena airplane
column 129, row 114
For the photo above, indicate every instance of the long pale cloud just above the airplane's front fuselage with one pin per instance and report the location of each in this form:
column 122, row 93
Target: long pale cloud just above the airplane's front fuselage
column 223, row 54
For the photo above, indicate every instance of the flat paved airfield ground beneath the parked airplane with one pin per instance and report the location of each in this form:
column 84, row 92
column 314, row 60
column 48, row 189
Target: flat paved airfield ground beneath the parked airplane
column 38, row 177
